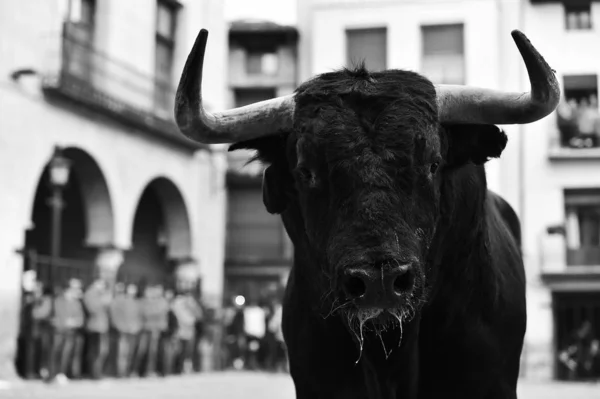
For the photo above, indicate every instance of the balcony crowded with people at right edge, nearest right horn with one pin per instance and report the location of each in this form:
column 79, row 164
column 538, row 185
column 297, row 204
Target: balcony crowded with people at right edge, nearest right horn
column 578, row 126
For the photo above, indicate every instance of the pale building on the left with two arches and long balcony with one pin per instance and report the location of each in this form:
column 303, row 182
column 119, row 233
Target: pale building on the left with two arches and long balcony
column 96, row 79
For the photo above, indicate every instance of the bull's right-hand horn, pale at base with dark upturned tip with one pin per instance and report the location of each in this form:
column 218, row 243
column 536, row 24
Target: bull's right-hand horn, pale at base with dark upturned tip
column 464, row 104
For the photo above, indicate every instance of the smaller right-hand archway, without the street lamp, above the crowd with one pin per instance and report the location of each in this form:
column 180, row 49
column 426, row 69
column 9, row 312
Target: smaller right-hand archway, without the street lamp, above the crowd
column 161, row 235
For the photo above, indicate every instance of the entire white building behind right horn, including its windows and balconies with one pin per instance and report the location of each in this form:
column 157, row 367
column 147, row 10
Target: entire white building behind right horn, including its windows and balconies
column 550, row 177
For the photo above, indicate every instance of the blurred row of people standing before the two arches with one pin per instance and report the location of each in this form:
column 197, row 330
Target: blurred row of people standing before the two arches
column 108, row 330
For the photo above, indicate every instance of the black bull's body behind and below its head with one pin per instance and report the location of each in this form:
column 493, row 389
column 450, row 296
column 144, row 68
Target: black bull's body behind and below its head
column 468, row 341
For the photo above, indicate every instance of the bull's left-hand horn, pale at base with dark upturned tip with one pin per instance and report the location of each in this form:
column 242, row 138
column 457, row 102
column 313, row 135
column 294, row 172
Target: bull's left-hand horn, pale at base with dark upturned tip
column 238, row 124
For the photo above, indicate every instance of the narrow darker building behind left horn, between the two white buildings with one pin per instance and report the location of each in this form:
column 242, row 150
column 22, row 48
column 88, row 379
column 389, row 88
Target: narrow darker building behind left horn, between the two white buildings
column 262, row 65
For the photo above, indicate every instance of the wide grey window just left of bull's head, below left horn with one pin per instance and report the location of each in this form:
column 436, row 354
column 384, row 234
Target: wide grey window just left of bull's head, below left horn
column 253, row 234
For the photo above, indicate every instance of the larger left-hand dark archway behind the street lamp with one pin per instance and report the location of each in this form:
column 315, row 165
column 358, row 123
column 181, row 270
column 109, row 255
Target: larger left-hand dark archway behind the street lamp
column 86, row 224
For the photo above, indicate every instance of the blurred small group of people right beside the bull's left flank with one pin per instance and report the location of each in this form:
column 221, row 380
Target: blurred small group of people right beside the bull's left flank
column 253, row 335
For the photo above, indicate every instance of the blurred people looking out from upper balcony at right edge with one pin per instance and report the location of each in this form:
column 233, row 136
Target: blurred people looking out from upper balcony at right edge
column 579, row 122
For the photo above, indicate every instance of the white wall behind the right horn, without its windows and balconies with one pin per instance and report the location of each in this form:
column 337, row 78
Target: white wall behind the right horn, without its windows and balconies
column 525, row 176
